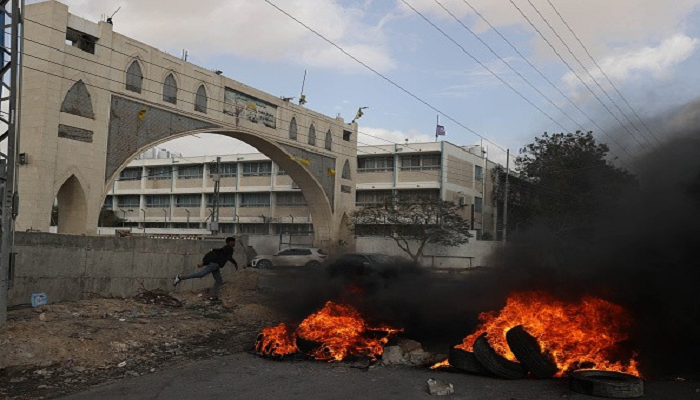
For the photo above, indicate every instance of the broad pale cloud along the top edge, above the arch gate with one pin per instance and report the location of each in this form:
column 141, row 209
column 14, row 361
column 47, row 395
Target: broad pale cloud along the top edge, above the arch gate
column 249, row 29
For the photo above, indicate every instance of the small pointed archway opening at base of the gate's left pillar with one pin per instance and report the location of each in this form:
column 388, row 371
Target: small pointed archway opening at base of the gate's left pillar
column 72, row 206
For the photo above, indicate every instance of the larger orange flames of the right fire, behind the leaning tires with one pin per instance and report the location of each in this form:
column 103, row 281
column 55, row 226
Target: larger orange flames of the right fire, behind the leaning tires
column 578, row 335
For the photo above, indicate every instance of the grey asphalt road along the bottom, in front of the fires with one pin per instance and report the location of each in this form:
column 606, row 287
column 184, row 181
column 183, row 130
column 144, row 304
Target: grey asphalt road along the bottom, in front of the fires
column 246, row 376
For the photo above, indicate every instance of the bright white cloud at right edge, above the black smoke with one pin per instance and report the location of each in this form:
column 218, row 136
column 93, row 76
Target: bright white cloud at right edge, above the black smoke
column 659, row 61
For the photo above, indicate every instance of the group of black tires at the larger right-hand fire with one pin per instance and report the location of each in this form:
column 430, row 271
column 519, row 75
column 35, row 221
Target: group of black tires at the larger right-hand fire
column 532, row 361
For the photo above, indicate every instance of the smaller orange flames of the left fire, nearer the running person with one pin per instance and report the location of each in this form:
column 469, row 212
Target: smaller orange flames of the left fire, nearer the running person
column 339, row 330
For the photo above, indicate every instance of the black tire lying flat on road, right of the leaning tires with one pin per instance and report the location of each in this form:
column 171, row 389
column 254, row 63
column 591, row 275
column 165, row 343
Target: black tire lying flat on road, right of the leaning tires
column 609, row 384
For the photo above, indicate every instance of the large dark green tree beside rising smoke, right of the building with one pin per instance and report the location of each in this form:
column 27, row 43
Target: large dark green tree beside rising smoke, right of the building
column 571, row 181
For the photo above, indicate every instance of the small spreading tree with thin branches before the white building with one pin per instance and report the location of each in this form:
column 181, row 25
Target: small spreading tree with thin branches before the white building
column 413, row 222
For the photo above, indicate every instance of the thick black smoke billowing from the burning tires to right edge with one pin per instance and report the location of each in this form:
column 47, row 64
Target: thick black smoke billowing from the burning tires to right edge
column 645, row 257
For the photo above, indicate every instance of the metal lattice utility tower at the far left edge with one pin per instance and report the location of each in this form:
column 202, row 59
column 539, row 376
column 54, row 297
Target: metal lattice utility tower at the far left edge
column 10, row 17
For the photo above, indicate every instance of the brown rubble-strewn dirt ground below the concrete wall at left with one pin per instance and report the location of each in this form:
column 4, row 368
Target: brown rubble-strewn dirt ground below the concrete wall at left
column 63, row 348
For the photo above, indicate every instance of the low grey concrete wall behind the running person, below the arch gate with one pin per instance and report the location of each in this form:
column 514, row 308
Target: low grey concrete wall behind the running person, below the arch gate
column 68, row 267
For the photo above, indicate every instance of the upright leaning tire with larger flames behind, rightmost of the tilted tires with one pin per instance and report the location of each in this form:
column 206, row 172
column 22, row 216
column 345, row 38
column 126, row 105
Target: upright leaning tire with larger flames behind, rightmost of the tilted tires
column 527, row 350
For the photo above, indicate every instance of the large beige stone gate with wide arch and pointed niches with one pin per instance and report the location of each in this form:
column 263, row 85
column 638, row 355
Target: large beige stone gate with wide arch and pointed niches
column 93, row 100
